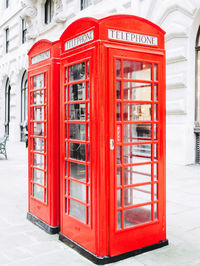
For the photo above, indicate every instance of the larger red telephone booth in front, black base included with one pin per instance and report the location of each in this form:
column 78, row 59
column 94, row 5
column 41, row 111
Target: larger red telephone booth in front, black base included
column 113, row 137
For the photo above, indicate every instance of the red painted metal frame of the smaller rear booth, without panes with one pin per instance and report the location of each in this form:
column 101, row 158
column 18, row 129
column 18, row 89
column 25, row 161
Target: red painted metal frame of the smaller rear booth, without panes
column 48, row 210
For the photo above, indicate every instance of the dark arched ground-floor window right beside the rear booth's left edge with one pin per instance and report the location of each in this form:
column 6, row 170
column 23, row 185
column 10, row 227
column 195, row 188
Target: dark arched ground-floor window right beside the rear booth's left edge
column 24, row 106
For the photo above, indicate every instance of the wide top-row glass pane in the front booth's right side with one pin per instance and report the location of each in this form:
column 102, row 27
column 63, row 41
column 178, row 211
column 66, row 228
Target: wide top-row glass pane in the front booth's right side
column 137, row 70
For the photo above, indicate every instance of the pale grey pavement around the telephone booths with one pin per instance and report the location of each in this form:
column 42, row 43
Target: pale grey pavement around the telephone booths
column 24, row 244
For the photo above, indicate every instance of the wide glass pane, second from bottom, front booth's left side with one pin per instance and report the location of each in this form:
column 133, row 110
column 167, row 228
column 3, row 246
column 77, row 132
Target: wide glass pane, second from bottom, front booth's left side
column 78, row 191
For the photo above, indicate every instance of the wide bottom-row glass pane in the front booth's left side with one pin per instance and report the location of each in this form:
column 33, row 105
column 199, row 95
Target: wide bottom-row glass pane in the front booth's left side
column 77, row 210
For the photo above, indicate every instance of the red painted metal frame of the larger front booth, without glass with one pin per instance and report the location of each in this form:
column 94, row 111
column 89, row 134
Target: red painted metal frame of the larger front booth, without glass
column 102, row 238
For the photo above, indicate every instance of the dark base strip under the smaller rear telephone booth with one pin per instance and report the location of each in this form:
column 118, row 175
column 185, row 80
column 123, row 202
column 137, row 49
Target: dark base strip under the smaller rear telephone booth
column 46, row 227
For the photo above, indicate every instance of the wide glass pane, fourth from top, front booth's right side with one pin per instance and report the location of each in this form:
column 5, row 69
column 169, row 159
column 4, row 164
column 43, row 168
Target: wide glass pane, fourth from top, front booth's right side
column 137, row 132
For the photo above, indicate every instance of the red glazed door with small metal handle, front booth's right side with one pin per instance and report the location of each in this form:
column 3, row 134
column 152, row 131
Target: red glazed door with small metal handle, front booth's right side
column 137, row 162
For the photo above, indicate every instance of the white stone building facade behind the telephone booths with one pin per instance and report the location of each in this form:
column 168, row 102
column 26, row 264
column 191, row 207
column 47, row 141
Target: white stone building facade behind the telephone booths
column 23, row 22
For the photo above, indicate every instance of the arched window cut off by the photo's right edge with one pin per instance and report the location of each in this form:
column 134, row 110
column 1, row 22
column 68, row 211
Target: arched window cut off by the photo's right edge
column 197, row 99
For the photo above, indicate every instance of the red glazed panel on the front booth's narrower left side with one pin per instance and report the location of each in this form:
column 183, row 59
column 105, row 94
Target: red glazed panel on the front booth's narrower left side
column 77, row 174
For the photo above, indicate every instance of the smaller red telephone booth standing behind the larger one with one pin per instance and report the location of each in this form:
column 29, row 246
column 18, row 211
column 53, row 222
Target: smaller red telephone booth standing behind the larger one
column 43, row 139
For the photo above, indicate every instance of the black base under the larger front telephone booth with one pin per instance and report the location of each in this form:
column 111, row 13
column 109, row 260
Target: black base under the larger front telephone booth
column 104, row 260
